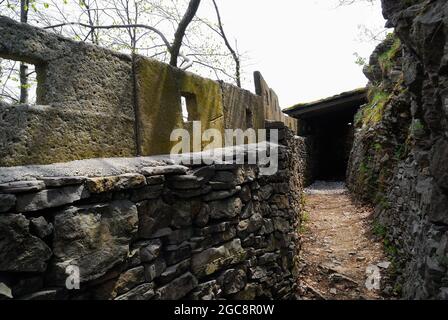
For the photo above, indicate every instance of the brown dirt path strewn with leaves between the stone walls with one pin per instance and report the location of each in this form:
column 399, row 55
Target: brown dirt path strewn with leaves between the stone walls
column 337, row 248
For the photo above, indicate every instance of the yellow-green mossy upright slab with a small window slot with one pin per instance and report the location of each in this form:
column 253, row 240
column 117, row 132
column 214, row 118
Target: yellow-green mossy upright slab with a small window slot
column 160, row 88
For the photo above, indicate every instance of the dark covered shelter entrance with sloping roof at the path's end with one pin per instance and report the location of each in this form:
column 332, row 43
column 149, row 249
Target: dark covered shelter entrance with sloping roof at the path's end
column 328, row 126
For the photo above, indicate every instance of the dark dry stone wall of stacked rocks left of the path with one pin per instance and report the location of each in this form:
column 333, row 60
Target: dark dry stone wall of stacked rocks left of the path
column 144, row 228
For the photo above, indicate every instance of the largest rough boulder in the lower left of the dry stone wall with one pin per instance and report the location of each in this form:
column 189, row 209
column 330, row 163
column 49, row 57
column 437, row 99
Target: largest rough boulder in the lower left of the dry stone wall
column 95, row 238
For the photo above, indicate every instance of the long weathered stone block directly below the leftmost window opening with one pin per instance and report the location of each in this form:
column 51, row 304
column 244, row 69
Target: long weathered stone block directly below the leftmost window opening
column 88, row 134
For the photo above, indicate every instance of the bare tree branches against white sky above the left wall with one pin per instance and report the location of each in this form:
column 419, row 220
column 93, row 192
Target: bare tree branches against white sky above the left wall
column 170, row 31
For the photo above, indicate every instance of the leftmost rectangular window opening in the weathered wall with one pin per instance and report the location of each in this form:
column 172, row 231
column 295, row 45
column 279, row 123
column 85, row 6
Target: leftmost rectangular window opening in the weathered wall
column 18, row 82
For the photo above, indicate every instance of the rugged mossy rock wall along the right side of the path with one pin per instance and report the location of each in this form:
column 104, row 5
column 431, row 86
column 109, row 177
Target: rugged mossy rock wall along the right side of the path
column 401, row 146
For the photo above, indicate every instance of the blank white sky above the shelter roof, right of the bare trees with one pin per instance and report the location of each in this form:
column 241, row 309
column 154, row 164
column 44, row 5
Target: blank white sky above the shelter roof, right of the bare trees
column 304, row 48
